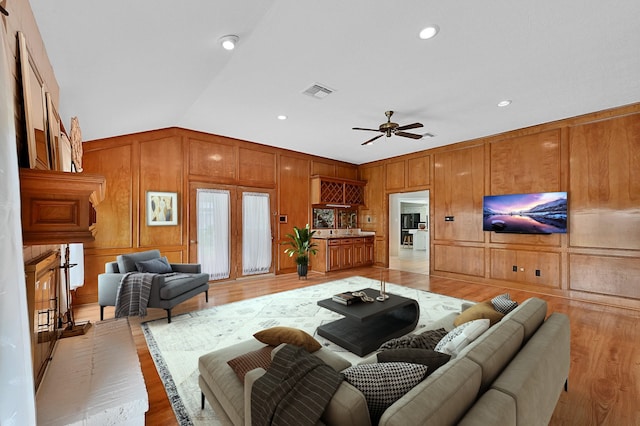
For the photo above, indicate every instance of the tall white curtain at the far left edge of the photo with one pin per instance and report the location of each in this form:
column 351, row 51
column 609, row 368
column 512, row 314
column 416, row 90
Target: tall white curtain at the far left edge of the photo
column 17, row 405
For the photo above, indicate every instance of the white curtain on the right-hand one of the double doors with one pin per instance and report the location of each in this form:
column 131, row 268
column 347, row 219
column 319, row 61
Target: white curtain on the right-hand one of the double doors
column 256, row 233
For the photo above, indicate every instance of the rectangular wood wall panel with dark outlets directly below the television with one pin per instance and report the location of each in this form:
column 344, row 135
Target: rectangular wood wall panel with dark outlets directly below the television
column 532, row 267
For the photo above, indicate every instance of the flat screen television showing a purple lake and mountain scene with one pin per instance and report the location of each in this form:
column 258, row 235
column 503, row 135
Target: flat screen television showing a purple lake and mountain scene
column 538, row 213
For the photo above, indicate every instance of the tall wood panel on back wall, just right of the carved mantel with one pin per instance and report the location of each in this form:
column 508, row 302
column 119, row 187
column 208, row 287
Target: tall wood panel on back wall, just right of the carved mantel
column 115, row 226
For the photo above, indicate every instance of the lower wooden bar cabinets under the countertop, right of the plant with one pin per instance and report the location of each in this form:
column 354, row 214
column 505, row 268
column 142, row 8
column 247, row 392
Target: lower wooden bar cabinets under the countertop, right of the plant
column 342, row 253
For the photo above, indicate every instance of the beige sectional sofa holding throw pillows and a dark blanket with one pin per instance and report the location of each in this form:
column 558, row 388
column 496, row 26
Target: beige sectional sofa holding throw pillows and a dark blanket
column 512, row 374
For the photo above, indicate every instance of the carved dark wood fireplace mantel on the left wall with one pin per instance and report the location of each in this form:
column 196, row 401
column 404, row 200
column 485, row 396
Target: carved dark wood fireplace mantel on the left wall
column 59, row 207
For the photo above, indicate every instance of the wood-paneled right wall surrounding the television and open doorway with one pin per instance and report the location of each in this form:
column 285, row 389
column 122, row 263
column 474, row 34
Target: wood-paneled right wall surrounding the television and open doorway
column 595, row 158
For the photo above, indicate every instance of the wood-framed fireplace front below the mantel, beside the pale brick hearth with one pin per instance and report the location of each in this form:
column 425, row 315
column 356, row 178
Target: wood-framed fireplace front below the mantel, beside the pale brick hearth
column 42, row 300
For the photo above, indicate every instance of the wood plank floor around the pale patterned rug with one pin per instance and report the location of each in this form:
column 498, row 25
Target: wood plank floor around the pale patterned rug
column 604, row 382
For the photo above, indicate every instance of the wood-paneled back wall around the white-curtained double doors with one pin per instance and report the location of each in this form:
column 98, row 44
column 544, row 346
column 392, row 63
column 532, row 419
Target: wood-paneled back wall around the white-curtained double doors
column 179, row 160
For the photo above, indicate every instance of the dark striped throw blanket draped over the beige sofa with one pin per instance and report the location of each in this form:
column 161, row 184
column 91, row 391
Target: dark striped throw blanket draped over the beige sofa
column 294, row 391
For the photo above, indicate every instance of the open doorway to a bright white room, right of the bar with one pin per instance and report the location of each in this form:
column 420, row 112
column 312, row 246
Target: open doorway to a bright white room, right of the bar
column 409, row 234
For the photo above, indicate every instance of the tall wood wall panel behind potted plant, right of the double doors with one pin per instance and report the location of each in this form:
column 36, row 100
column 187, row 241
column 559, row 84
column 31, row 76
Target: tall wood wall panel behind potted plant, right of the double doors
column 293, row 201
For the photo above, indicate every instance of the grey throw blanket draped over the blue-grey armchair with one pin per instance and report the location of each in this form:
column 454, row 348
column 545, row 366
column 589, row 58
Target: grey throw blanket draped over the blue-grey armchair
column 133, row 294
